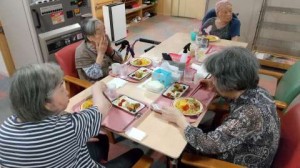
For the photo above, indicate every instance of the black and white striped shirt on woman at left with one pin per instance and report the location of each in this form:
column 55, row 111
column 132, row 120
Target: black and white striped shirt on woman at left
column 57, row 141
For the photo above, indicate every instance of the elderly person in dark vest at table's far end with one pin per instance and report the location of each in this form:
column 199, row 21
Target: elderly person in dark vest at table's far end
column 224, row 25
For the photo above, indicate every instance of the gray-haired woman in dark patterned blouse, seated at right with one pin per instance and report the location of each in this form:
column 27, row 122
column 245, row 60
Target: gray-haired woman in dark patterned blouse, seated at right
column 249, row 135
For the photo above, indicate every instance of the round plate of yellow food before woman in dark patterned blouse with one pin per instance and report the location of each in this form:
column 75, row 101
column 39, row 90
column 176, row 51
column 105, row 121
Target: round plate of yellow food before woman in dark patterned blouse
column 188, row 106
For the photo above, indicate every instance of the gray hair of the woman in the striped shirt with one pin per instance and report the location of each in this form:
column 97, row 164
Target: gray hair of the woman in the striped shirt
column 31, row 88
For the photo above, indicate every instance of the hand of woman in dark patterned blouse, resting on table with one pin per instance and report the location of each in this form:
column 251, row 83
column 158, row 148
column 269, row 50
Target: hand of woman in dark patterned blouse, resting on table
column 171, row 114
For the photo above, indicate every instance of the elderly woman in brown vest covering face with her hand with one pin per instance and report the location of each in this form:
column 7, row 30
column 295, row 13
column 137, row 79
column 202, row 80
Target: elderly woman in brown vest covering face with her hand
column 94, row 56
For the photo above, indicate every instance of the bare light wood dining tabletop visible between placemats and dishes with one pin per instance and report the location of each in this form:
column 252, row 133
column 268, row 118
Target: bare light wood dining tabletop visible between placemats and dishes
column 160, row 135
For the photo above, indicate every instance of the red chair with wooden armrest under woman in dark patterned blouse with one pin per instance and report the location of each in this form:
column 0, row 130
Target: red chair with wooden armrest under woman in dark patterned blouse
column 288, row 153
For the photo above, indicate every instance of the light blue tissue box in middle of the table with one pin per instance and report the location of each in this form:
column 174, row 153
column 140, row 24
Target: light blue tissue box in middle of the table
column 163, row 76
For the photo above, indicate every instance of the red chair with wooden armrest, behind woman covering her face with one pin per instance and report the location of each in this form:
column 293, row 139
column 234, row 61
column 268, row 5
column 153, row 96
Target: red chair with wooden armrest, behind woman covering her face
column 66, row 59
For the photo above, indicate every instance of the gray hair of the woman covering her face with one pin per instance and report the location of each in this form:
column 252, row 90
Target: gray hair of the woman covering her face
column 88, row 27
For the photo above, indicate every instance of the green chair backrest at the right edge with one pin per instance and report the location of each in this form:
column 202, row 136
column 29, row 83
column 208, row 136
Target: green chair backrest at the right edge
column 289, row 86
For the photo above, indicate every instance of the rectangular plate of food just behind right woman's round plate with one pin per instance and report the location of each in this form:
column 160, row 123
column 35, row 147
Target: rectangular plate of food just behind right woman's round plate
column 176, row 90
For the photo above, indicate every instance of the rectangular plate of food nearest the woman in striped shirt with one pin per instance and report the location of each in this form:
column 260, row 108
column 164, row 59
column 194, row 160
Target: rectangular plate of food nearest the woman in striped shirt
column 128, row 104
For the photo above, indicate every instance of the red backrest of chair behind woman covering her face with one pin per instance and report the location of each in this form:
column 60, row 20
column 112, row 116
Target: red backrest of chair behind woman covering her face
column 66, row 59
